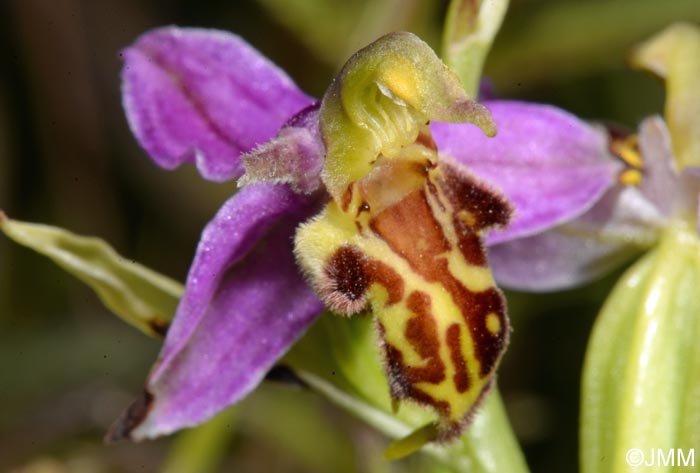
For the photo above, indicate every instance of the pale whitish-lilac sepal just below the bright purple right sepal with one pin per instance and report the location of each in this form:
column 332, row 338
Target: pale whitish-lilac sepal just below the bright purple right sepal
column 622, row 224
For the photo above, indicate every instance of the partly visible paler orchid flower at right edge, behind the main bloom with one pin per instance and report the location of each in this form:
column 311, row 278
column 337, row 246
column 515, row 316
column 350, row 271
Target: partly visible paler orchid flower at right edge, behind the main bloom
column 654, row 188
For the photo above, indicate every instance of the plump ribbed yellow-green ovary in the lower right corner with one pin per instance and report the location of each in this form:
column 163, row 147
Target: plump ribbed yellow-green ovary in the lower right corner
column 641, row 382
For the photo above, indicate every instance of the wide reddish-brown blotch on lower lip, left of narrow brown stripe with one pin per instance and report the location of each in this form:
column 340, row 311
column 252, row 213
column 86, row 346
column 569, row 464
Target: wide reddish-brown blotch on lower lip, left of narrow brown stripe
column 422, row 334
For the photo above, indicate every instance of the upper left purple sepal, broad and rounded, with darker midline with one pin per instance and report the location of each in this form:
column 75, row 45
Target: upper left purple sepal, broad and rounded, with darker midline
column 204, row 96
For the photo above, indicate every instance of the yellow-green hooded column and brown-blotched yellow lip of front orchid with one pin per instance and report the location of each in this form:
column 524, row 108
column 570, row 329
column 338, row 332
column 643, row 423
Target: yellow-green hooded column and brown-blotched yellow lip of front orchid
column 402, row 234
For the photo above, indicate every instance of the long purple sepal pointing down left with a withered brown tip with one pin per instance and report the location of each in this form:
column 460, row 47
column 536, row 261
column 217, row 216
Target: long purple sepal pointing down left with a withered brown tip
column 244, row 305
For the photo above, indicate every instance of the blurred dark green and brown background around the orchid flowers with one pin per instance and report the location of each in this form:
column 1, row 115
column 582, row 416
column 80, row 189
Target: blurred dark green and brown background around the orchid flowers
column 67, row 367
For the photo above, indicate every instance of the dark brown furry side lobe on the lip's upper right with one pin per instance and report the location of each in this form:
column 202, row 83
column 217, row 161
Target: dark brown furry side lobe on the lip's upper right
column 464, row 192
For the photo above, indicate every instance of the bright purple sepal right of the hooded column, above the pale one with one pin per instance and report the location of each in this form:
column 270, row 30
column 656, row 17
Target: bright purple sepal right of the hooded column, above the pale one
column 550, row 164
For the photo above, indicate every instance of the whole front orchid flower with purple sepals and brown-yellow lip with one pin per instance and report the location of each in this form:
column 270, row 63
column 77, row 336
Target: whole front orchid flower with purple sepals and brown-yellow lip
column 369, row 198
